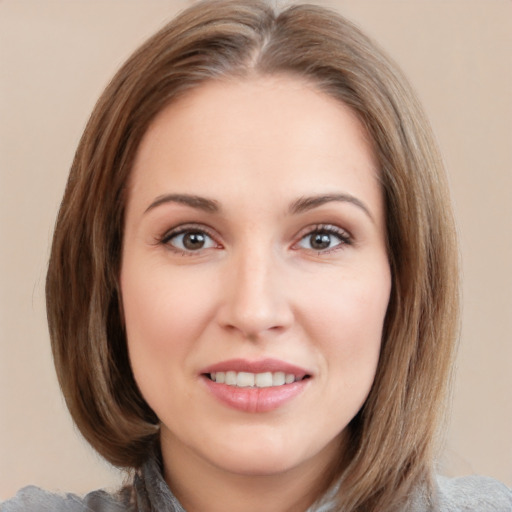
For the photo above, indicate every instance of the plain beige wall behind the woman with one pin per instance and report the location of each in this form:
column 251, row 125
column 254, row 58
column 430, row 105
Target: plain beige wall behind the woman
column 55, row 58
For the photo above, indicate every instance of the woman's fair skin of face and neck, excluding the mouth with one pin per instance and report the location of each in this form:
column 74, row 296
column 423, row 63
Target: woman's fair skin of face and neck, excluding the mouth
column 258, row 287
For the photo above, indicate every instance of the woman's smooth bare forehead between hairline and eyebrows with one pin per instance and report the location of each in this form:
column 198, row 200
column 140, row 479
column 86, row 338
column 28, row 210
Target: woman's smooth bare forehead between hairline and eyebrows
column 279, row 128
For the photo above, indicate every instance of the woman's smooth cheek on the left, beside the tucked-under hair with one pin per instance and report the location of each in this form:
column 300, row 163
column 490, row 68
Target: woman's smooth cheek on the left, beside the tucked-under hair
column 165, row 314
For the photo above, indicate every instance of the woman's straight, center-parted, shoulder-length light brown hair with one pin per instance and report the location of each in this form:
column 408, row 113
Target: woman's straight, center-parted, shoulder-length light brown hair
column 392, row 438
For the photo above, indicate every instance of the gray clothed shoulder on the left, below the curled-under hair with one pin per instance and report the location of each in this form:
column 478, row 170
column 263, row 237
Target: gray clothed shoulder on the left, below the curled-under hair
column 35, row 499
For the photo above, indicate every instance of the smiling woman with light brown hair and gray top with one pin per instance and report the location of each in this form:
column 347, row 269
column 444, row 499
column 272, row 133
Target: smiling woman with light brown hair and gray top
column 252, row 288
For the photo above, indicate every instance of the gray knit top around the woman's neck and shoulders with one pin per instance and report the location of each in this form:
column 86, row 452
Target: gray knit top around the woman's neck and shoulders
column 149, row 493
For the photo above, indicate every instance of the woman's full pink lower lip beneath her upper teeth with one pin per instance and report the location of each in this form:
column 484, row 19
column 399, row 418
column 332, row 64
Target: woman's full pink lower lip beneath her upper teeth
column 256, row 399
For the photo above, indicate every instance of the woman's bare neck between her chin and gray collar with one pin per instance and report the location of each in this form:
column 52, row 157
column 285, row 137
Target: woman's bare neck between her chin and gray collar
column 203, row 487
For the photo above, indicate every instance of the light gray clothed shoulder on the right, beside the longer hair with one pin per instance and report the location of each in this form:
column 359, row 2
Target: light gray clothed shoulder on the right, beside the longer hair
column 473, row 493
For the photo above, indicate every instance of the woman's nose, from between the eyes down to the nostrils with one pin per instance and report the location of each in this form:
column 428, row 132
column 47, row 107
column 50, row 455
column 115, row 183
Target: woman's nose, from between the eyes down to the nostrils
column 255, row 301
